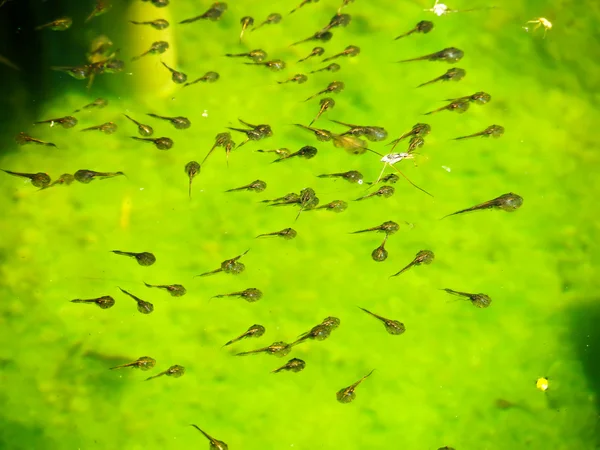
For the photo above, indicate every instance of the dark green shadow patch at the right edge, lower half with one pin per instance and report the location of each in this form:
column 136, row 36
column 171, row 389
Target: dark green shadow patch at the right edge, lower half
column 585, row 320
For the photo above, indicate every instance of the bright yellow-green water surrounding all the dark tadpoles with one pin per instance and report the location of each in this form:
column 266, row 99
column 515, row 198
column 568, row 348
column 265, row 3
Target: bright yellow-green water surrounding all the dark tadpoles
column 435, row 385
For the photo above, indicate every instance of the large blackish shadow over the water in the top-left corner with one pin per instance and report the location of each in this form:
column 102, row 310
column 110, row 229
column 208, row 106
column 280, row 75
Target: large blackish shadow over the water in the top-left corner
column 26, row 55
